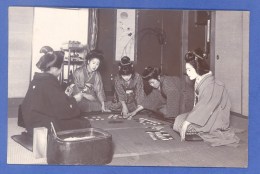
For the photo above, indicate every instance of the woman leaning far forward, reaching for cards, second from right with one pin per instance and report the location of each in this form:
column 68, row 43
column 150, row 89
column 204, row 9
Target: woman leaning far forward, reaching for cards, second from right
column 169, row 96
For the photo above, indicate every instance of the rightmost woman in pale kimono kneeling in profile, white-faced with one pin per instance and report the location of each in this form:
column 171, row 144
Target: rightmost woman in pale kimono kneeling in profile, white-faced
column 210, row 116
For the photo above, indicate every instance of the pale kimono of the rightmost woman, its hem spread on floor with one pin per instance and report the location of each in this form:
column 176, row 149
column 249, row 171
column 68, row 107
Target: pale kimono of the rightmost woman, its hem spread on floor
column 210, row 116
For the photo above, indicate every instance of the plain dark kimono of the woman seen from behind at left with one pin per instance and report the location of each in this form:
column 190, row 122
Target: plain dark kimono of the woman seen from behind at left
column 46, row 102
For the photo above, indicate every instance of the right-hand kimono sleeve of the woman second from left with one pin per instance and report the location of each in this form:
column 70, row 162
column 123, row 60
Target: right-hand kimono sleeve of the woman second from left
column 98, row 87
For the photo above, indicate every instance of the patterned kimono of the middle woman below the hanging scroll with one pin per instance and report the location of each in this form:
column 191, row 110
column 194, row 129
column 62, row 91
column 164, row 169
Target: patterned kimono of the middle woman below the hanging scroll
column 131, row 92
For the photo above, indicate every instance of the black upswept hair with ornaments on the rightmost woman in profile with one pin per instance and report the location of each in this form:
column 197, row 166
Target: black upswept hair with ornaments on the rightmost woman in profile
column 197, row 59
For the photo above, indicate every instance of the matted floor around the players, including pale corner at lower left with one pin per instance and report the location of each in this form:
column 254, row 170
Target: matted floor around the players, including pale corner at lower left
column 133, row 147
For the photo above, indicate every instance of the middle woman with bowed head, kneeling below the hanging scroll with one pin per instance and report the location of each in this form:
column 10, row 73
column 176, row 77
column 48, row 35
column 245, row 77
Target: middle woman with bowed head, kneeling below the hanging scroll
column 128, row 88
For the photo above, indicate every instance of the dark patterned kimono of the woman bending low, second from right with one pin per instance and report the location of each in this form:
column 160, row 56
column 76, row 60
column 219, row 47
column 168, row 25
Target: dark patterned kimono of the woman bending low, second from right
column 172, row 99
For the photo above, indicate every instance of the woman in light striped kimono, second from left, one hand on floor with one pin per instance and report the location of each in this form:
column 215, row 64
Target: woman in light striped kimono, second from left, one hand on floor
column 88, row 81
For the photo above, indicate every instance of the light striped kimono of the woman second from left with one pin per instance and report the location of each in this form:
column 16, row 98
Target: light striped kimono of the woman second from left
column 93, row 81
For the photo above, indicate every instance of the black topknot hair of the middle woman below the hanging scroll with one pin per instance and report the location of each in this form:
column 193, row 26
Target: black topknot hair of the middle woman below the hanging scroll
column 125, row 66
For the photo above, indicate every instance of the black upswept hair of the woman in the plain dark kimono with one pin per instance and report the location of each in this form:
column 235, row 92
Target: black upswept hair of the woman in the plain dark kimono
column 50, row 59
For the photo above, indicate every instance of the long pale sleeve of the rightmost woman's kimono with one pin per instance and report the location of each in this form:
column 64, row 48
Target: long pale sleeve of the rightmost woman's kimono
column 208, row 100
